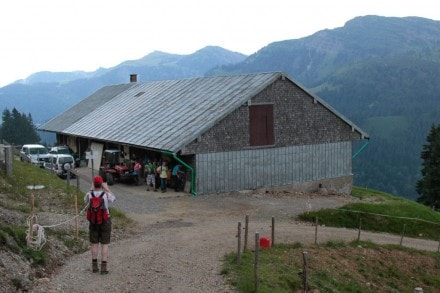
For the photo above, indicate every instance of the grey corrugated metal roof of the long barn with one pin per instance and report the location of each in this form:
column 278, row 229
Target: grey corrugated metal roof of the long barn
column 164, row 115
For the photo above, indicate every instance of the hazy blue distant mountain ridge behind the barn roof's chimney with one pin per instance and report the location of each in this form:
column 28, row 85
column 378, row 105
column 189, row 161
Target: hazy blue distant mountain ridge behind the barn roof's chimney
column 33, row 96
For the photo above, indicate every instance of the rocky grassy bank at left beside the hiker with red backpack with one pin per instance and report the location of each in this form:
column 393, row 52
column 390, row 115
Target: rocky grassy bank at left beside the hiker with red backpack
column 56, row 197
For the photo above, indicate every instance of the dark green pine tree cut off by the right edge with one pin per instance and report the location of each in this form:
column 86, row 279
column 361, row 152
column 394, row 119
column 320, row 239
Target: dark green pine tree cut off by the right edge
column 428, row 187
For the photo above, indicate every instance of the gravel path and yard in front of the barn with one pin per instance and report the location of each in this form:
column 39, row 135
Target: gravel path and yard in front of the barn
column 180, row 239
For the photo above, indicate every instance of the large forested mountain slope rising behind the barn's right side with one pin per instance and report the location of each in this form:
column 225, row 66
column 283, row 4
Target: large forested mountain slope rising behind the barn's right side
column 383, row 74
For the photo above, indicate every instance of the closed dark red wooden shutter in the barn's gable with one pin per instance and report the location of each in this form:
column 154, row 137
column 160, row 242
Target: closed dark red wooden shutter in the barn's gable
column 261, row 125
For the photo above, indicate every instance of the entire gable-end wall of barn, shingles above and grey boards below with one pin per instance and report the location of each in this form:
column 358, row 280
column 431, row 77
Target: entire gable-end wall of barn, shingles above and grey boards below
column 312, row 144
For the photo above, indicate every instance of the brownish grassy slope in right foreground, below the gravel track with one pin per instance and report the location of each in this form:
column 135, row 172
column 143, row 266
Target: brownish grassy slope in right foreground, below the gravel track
column 336, row 267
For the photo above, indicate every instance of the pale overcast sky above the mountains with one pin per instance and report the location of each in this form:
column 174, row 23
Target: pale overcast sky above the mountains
column 69, row 35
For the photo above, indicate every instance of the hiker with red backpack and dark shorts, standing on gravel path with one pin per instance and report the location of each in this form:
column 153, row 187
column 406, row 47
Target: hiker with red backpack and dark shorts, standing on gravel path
column 100, row 225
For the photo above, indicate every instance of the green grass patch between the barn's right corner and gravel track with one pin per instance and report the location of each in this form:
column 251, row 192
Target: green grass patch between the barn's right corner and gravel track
column 381, row 212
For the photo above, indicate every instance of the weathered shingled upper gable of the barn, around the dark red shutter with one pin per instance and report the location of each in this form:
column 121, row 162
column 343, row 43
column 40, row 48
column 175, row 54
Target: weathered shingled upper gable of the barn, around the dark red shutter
column 298, row 120
